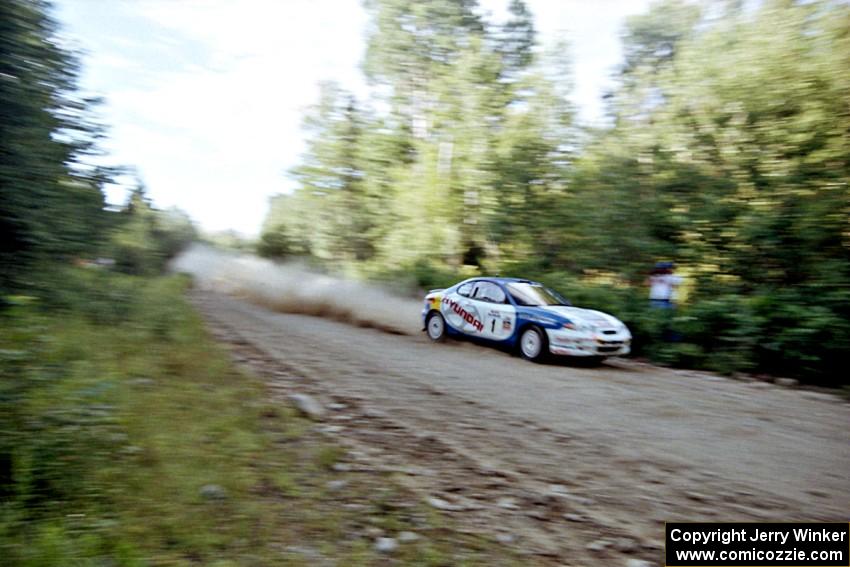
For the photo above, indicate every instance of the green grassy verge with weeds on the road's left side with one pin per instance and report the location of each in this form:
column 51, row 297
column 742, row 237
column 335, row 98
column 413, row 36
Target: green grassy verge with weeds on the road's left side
column 127, row 437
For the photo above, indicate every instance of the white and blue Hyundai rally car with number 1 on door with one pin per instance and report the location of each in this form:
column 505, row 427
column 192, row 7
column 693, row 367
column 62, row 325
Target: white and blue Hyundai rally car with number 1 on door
column 524, row 314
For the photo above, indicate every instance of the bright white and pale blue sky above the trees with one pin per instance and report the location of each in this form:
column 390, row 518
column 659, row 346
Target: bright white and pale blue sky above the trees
column 205, row 97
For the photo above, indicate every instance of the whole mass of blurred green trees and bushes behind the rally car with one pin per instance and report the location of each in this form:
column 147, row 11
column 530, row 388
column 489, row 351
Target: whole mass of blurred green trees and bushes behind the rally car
column 726, row 150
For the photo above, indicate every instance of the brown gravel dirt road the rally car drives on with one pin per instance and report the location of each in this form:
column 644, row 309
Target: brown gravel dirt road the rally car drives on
column 569, row 465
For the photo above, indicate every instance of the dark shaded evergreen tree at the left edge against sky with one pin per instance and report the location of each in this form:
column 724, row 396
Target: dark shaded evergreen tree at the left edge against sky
column 51, row 208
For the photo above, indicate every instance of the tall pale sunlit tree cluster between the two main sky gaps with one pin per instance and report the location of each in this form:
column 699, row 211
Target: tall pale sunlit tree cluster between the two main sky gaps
column 476, row 135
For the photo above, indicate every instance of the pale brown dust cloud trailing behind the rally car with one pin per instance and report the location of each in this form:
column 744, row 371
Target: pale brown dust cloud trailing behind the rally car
column 291, row 288
